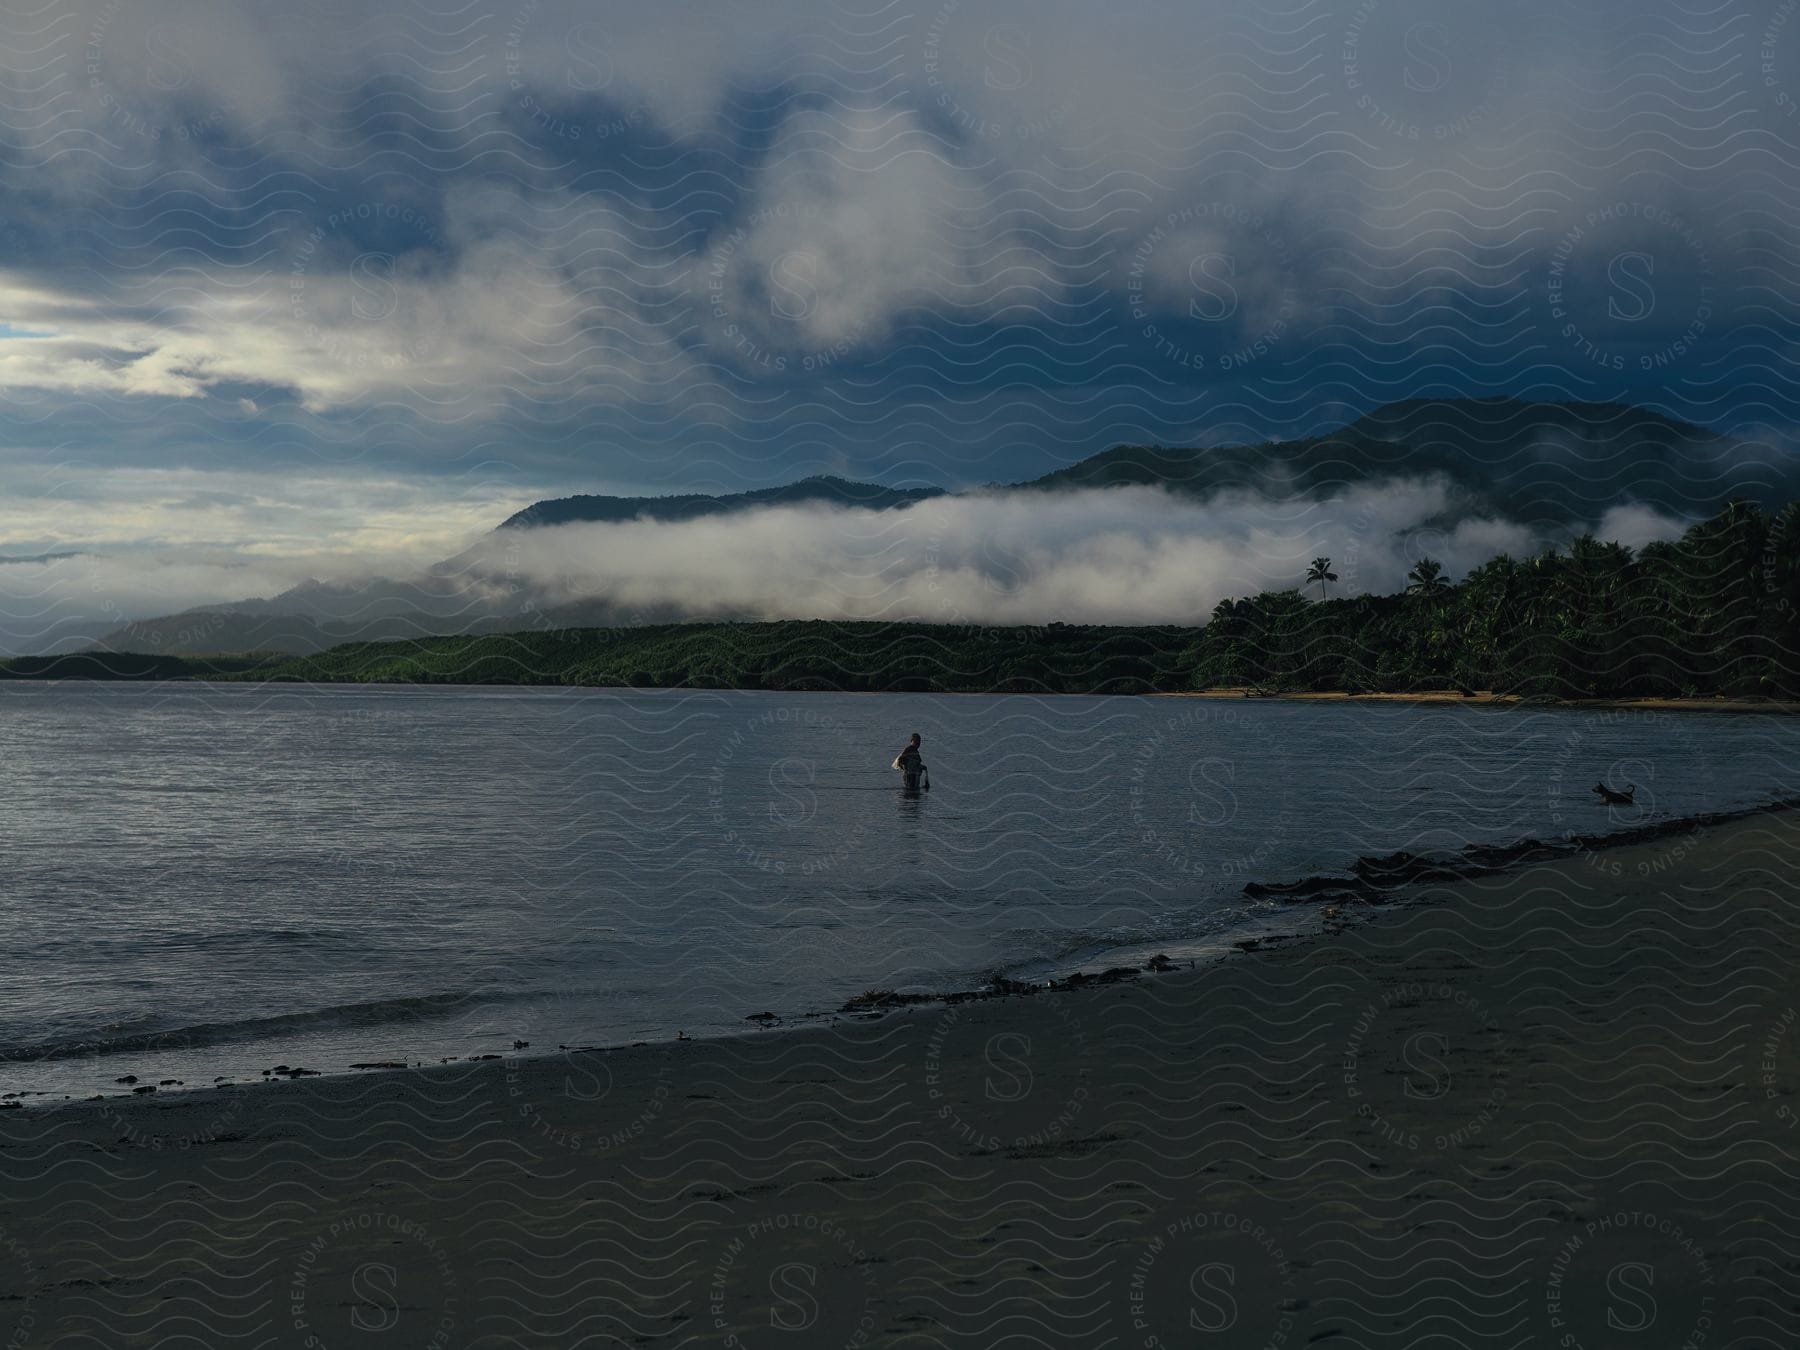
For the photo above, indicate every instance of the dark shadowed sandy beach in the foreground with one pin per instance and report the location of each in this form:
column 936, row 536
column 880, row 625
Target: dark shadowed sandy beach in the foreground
column 1554, row 1106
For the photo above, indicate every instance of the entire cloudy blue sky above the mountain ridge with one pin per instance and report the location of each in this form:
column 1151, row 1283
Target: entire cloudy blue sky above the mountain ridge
column 325, row 289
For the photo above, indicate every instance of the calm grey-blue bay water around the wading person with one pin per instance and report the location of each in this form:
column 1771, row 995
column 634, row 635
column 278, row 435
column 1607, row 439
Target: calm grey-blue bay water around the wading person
column 211, row 881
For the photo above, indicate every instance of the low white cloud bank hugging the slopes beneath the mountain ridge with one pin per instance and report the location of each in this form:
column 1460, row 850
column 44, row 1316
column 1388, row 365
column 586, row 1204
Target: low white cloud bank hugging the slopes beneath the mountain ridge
column 1122, row 555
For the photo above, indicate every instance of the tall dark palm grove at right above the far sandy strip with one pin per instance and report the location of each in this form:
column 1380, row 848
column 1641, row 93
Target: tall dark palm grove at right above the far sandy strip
column 1714, row 613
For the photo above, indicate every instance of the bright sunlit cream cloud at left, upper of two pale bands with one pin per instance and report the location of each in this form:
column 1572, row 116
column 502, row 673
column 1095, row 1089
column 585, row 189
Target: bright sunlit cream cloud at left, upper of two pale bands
column 341, row 323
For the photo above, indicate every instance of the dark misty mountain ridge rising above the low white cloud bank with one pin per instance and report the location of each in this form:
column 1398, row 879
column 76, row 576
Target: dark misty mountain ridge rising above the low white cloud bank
column 1552, row 467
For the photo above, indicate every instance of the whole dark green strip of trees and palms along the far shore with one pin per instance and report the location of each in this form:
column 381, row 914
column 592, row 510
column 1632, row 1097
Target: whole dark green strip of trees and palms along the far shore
column 1714, row 613
